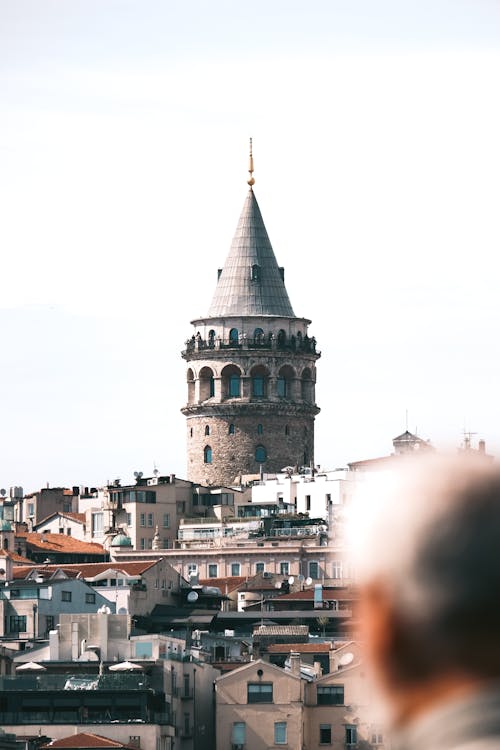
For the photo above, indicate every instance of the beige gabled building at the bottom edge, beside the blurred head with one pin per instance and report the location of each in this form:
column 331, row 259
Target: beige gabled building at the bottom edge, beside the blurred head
column 261, row 706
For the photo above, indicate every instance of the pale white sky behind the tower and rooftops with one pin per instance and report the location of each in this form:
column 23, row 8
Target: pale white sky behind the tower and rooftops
column 123, row 153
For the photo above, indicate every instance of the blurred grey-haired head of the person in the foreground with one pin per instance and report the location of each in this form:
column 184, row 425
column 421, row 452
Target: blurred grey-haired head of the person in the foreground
column 430, row 575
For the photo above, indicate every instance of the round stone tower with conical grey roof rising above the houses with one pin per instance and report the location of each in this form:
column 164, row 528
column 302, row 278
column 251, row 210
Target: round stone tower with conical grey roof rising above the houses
column 251, row 367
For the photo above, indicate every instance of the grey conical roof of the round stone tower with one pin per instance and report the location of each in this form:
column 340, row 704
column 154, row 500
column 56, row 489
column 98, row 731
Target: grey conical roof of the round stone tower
column 251, row 282
